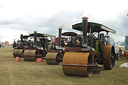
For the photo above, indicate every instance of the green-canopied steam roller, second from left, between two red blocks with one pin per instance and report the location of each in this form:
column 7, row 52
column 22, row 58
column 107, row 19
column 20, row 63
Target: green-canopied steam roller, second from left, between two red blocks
column 37, row 49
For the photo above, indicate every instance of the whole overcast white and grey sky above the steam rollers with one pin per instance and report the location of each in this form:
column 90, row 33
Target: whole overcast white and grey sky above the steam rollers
column 46, row 16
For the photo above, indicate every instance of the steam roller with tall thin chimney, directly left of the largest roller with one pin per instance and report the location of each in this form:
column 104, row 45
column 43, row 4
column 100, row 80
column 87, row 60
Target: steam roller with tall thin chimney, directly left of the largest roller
column 55, row 56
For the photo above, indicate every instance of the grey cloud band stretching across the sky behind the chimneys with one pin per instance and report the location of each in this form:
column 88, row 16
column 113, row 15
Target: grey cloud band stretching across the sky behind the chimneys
column 64, row 18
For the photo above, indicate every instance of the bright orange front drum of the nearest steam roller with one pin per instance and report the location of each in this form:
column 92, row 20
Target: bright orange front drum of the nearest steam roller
column 77, row 64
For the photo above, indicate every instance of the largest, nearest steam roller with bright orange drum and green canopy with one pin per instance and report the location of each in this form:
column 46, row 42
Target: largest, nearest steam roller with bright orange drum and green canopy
column 89, row 50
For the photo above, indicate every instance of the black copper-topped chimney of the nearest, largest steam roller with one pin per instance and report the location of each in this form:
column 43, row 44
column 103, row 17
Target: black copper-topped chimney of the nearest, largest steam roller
column 85, row 28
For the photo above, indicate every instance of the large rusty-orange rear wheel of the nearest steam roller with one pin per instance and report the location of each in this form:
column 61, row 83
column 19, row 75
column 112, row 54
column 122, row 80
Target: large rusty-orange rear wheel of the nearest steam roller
column 109, row 57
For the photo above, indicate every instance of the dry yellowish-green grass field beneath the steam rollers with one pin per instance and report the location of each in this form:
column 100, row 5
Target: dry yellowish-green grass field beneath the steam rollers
column 32, row 73
